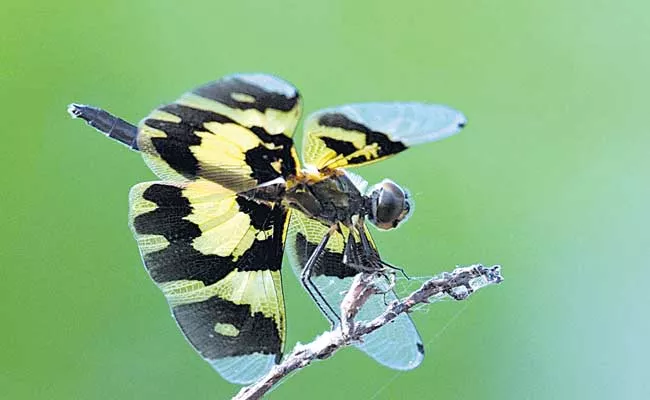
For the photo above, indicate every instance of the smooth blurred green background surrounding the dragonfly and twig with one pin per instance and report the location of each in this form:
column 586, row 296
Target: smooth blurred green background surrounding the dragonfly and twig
column 549, row 179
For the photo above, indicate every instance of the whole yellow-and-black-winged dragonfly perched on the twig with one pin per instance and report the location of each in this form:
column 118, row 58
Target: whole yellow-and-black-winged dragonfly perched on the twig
column 233, row 196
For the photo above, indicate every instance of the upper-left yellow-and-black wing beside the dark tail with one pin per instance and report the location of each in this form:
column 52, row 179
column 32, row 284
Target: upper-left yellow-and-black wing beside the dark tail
column 235, row 131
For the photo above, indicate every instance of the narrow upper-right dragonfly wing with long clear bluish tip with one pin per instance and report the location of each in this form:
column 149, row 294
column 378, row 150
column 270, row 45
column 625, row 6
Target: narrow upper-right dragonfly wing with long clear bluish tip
column 358, row 134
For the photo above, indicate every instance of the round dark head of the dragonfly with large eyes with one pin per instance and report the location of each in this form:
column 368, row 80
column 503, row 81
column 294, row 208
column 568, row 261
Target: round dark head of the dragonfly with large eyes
column 389, row 205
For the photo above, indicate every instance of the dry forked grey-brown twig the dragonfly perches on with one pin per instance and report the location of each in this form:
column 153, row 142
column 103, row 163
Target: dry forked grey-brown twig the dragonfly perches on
column 458, row 284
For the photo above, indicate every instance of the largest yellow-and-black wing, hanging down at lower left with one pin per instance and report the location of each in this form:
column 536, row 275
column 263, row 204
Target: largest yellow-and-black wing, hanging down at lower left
column 216, row 256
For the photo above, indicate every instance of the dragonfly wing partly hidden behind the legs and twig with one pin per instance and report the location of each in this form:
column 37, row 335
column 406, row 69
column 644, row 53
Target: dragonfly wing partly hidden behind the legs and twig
column 396, row 345
